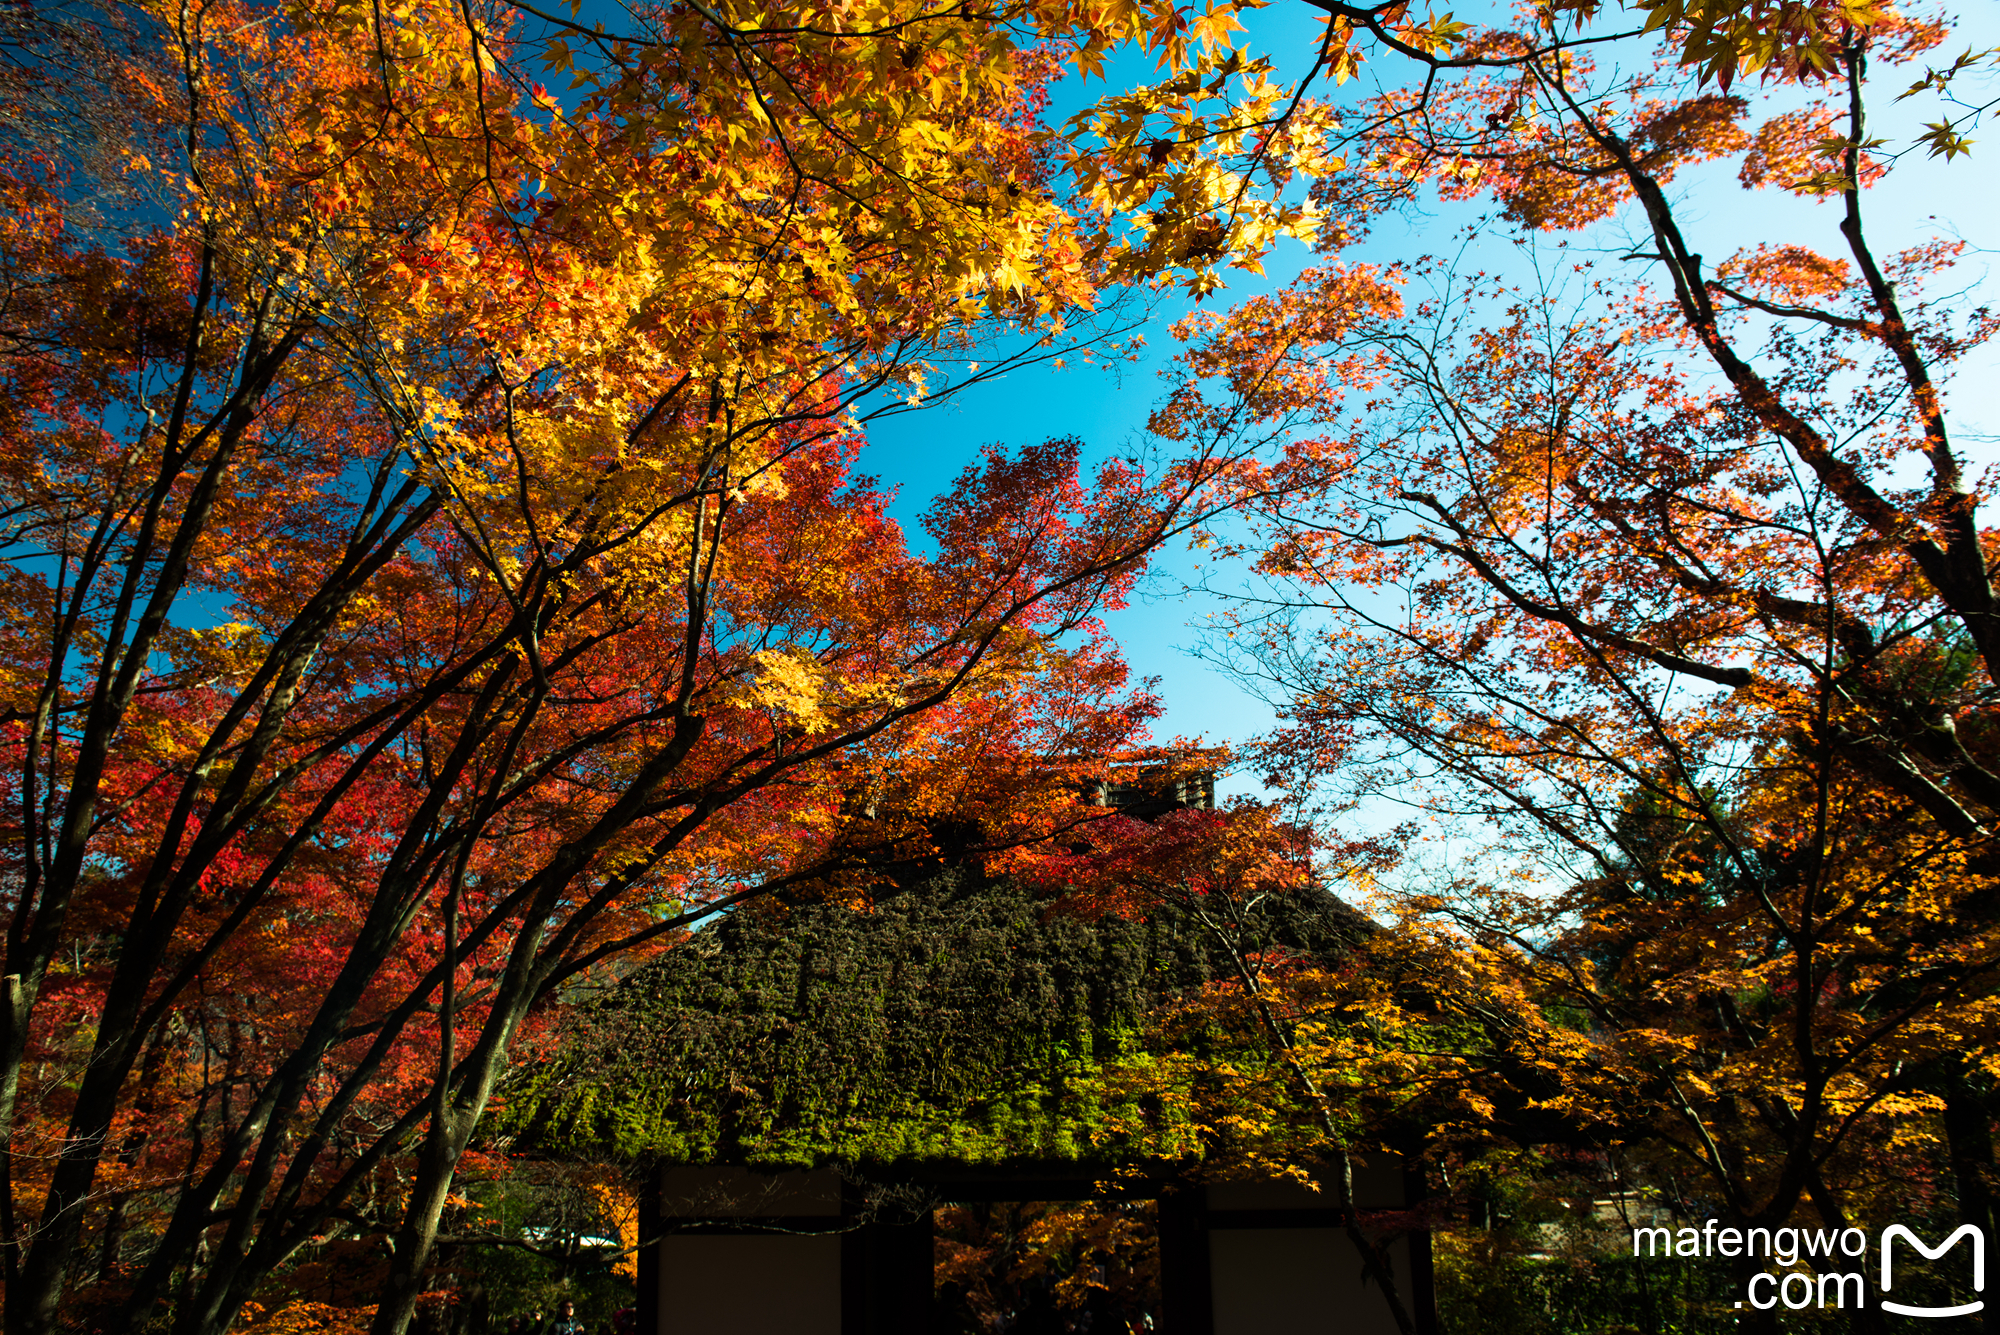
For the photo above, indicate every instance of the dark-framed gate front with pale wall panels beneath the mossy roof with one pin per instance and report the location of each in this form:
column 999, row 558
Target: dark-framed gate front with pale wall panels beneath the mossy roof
column 813, row 1254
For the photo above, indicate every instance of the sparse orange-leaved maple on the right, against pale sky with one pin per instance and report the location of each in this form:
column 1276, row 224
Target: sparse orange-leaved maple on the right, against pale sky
column 1653, row 549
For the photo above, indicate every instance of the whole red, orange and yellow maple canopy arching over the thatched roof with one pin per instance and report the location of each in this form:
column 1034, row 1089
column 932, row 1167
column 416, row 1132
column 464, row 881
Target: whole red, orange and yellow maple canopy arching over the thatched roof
column 441, row 567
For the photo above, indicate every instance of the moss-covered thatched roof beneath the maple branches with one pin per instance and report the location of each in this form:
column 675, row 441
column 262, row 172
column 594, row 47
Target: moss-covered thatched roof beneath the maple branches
column 959, row 1022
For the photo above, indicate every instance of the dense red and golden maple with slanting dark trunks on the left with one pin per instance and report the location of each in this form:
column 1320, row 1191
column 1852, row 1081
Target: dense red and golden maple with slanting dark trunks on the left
column 437, row 565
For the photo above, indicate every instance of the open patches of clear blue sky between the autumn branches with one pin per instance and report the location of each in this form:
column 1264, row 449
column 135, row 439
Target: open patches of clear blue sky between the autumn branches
column 923, row 453
